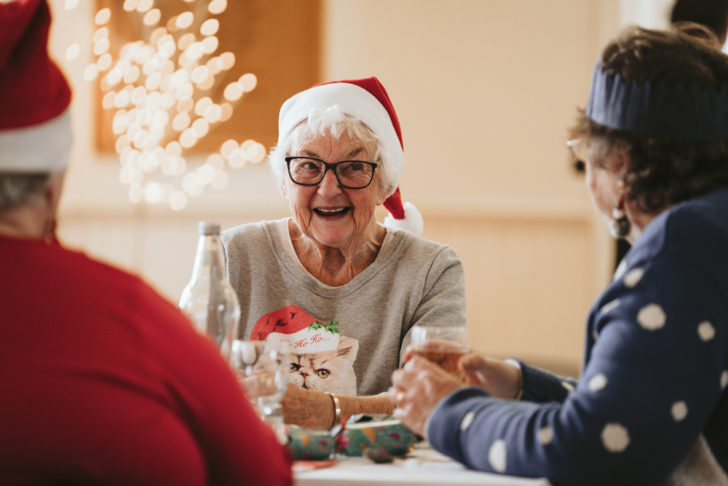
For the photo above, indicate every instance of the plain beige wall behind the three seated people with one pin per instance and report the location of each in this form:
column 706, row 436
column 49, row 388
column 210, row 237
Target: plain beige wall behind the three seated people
column 485, row 91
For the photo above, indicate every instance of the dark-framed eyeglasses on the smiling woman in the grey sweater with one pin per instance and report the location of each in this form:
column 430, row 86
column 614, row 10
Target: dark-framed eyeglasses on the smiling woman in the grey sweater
column 310, row 171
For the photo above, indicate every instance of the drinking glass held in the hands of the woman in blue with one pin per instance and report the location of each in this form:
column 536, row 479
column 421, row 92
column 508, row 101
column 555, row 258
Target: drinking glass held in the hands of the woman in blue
column 442, row 345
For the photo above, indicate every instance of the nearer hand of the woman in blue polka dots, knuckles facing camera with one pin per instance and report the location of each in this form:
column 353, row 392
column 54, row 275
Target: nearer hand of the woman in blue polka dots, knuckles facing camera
column 417, row 388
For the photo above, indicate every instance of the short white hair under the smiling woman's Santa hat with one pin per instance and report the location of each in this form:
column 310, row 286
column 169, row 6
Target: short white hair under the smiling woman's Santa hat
column 335, row 121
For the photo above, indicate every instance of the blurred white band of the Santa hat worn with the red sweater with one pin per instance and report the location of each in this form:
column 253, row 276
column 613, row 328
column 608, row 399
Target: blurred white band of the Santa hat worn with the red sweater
column 38, row 148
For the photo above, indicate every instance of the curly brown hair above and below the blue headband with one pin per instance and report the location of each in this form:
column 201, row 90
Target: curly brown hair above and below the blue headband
column 664, row 170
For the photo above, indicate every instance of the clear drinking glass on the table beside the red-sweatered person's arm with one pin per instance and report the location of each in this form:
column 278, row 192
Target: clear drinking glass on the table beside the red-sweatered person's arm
column 262, row 369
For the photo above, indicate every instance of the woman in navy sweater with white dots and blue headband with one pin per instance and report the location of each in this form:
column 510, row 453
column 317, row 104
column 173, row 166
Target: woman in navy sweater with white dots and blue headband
column 650, row 405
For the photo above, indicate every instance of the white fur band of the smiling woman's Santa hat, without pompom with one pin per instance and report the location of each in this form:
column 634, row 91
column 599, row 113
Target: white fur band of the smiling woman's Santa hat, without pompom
column 357, row 102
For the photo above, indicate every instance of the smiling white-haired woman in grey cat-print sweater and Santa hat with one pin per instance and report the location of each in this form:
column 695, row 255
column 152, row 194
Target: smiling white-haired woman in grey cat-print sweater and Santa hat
column 338, row 288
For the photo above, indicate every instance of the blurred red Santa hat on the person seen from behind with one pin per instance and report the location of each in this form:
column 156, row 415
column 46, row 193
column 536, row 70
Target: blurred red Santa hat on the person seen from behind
column 35, row 131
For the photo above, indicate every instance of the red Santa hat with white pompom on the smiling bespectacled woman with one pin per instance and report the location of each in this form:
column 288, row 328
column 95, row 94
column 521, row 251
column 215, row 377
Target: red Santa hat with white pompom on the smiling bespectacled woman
column 366, row 100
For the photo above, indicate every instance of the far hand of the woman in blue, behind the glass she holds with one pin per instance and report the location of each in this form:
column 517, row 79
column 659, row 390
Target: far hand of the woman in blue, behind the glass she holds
column 499, row 378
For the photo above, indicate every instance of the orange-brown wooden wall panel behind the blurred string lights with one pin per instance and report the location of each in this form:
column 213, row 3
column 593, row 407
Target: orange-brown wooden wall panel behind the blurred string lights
column 277, row 41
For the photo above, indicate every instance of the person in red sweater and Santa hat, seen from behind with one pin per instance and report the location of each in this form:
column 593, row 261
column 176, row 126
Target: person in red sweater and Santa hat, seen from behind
column 102, row 381
